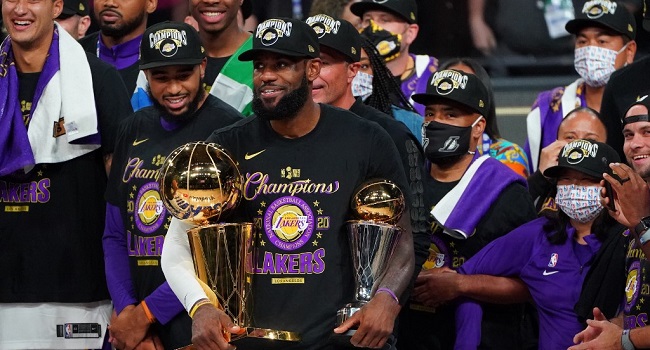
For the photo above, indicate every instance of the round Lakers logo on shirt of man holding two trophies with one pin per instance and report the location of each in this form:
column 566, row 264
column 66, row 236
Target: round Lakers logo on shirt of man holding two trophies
column 289, row 223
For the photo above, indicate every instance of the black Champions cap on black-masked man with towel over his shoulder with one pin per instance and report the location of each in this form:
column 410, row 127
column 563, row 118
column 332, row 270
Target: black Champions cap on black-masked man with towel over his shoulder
column 453, row 85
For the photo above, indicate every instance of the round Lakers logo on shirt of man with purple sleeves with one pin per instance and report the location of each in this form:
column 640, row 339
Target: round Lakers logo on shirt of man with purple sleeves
column 150, row 212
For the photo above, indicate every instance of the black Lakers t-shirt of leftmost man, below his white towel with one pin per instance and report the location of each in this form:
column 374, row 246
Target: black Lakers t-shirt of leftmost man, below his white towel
column 53, row 217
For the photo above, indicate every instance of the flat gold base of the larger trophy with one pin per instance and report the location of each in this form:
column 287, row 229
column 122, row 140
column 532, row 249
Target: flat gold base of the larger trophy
column 259, row 338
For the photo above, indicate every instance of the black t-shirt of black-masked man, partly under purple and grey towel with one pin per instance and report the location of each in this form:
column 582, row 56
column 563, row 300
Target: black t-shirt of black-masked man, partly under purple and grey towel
column 429, row 328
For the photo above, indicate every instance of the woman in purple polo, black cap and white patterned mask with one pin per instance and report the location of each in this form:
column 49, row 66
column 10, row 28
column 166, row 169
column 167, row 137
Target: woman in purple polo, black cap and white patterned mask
column 570, row 263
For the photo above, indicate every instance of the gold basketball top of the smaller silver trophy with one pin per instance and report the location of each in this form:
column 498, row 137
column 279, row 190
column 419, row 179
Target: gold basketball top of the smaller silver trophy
column 378, row 200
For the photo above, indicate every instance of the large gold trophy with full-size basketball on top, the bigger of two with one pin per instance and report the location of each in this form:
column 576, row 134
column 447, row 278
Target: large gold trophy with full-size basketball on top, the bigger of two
column 201, row 183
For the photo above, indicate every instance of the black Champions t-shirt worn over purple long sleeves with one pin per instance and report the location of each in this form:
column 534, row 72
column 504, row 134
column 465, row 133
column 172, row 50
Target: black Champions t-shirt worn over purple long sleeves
column 141, row 148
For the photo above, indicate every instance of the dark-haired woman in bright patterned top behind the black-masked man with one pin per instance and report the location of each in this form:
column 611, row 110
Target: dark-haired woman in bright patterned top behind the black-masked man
column 493, row 144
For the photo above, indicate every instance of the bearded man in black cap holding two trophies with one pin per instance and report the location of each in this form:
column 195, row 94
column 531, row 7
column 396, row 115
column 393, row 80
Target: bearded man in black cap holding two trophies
column 301, row 163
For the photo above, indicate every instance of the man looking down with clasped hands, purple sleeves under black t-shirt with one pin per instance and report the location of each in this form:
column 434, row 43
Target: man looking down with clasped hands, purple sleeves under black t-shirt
column 174, row 62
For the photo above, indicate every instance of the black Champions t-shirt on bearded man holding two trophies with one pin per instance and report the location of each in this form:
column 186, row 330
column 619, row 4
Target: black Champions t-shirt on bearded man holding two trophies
column 297, row 194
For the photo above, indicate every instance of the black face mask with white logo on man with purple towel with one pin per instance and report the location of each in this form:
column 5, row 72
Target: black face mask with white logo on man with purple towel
column 441, row 140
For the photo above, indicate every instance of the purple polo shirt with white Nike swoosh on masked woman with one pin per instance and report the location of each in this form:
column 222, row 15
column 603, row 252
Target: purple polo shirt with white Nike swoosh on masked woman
column 554, row 275
